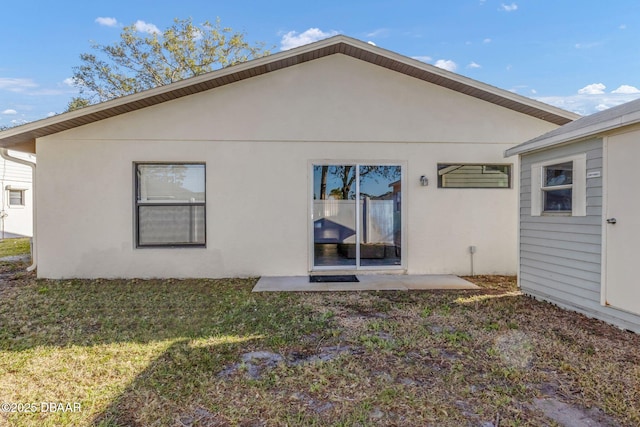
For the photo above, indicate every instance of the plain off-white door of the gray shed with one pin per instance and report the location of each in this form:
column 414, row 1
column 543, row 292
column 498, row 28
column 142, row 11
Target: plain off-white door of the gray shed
column 622, row 283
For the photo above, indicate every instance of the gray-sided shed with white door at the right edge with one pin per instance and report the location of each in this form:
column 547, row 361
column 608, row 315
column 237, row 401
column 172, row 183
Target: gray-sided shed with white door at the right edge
column 580, row 216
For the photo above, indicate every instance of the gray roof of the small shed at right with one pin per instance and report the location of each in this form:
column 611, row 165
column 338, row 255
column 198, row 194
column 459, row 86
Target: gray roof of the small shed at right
column 613, row 118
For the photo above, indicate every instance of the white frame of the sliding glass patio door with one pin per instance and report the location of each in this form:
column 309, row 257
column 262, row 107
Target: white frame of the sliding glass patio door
column 403, row 215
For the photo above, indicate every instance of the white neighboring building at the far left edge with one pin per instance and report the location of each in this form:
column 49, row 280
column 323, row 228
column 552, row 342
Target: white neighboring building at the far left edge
column 16, row 215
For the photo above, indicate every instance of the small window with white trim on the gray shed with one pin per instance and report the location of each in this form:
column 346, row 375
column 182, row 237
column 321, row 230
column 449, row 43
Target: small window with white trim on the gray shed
column 558, row 187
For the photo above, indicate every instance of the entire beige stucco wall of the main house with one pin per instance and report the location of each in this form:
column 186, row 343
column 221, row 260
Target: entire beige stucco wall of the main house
column 257, row 138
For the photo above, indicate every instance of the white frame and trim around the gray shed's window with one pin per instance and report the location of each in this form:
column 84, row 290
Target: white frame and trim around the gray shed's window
column 578, row 186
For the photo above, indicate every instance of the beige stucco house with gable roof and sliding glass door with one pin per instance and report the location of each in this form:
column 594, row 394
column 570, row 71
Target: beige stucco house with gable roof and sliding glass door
column 281, row 166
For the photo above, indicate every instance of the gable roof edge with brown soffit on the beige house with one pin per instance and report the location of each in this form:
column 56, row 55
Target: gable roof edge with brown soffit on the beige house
column 24, row 136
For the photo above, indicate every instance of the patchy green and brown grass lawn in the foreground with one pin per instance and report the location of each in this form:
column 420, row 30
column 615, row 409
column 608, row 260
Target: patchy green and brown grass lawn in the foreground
column 209, row 352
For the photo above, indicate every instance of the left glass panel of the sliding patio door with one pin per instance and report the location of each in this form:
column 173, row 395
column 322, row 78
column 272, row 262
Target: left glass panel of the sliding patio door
column 334, row 216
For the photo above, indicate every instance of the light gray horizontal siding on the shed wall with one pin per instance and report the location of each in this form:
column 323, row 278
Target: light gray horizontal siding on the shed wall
column 560, row 255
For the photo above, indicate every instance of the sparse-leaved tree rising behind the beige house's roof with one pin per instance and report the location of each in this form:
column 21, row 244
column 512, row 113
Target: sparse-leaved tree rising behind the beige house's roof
column 137, row 63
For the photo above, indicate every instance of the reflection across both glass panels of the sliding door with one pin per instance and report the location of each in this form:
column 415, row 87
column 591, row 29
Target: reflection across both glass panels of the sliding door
column 357, row 220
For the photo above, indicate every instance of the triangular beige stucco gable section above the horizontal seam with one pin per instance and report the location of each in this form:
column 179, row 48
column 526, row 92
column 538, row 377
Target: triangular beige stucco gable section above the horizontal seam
column 335, row 98
